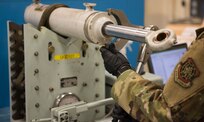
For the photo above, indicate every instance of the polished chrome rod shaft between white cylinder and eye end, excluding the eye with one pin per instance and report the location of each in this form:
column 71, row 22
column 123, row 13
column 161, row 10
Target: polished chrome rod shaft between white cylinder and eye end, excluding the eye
column 131, row 33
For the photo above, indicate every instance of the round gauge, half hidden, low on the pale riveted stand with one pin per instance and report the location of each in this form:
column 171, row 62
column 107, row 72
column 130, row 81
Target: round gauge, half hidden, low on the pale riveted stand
column 65, row 99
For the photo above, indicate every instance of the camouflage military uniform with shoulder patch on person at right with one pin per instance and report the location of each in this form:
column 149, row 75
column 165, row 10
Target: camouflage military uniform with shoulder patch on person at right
column 181, row 99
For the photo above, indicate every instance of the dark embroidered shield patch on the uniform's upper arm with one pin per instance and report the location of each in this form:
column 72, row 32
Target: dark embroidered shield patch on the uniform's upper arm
column 186, row 72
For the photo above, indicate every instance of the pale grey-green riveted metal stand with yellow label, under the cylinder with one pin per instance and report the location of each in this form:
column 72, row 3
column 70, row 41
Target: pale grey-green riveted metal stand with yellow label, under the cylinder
column 54, row 65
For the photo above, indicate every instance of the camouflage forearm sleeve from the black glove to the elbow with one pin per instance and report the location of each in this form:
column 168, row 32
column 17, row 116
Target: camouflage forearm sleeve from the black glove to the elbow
column 141, row 98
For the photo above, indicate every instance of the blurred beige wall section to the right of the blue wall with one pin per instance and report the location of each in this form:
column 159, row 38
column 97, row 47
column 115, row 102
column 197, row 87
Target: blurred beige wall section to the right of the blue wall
column 161, row 12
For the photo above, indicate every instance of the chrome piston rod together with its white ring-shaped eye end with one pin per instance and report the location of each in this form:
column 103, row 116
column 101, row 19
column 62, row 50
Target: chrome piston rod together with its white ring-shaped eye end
column 157, row 40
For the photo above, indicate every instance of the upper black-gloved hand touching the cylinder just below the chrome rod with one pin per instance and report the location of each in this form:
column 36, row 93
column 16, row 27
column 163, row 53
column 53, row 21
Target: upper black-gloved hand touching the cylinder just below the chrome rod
column 115, row 63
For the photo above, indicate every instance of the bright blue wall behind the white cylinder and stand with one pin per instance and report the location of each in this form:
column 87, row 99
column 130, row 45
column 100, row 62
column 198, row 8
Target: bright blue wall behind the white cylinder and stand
column 14, row 9
